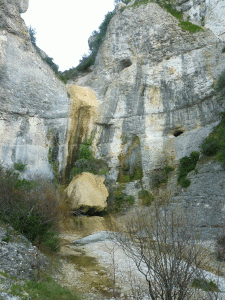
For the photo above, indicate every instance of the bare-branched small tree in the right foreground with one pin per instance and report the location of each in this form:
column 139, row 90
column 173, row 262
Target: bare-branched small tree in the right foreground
column 165, row 249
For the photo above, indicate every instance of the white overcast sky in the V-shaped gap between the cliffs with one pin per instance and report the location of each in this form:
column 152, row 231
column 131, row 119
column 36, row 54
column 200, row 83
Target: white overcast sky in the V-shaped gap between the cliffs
column 63, row 27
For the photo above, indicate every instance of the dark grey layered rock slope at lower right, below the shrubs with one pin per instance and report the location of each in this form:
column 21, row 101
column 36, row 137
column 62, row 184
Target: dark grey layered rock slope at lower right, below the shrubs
column 204, row 199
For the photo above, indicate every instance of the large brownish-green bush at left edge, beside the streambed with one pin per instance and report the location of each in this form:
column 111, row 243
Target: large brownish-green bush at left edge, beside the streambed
column 32, row 208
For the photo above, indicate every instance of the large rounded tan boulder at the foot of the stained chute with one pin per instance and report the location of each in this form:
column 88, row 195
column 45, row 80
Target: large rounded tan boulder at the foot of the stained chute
column 87, row 191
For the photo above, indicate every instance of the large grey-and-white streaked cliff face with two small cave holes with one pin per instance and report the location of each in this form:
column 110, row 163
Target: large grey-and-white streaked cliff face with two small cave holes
column 153, row 82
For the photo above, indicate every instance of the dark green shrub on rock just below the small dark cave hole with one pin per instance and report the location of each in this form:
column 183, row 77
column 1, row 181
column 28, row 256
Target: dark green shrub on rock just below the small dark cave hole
column 187, row 164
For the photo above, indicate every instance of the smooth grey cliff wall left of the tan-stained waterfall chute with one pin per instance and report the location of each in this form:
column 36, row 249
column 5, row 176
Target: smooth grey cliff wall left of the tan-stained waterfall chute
column 34, row 105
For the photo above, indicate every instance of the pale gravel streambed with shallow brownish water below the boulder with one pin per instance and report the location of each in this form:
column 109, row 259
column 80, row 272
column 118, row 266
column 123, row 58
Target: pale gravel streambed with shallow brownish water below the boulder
column 95, row 265
